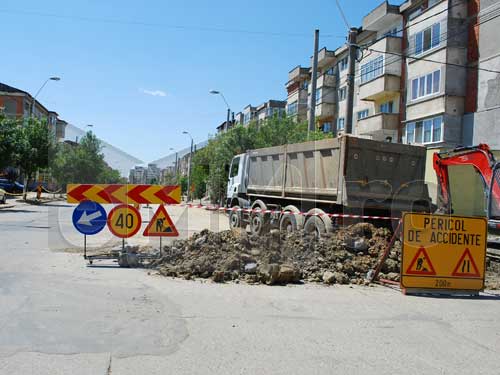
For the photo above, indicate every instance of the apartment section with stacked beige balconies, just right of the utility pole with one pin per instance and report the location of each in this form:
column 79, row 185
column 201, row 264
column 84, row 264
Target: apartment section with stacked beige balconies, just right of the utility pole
column 378, row 75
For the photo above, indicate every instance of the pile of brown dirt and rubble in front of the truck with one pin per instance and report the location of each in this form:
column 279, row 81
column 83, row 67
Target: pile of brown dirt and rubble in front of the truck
column 343, row 257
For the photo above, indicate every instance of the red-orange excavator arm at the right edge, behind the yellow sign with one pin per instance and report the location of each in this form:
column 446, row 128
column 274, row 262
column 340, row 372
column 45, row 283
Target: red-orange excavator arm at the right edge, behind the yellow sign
column 482, row 159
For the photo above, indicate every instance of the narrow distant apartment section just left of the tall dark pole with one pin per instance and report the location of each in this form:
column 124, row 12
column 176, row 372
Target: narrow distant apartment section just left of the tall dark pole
column 298, row 88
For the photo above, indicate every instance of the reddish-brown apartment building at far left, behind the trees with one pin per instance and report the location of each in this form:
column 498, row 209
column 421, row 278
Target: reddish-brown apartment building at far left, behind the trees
column 18, row 103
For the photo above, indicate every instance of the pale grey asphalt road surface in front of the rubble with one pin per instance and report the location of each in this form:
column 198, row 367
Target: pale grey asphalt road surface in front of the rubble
column 58, row 316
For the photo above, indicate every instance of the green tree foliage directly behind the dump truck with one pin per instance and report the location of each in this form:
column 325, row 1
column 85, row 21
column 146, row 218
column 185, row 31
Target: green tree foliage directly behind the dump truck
column 210, row 164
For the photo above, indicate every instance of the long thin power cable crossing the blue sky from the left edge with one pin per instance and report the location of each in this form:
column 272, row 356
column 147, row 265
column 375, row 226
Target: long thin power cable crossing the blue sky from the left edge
column 160, row 25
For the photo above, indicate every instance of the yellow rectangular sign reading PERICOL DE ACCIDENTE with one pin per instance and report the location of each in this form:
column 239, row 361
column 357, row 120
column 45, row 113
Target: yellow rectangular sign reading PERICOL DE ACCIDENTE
column 443, row 252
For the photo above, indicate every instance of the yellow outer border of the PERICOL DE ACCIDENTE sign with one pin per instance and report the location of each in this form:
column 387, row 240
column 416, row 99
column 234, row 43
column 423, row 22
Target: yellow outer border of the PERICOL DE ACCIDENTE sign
column 444, row 279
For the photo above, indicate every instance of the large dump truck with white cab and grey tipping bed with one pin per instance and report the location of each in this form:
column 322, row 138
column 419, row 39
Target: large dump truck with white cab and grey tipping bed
column 314, row 185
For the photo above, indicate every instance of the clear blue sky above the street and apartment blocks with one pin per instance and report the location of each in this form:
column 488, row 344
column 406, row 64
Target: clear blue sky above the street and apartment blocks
column 140, row 72
